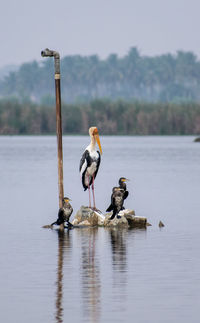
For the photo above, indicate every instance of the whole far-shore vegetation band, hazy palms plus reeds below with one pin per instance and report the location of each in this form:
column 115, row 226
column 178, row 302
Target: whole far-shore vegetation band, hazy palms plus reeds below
column 147, row 95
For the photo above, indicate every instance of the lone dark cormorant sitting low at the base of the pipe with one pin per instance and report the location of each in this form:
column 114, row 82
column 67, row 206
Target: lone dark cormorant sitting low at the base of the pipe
column 64, row 213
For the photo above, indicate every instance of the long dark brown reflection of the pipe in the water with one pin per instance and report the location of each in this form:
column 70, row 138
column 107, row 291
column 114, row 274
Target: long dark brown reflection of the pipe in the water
column 63, row 243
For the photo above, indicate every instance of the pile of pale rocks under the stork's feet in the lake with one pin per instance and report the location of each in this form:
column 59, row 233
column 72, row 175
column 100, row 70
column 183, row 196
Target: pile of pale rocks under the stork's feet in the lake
column 126, row 218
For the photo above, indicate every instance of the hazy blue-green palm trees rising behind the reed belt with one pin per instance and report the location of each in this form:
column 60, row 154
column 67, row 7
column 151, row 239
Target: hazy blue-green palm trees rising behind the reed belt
column 164, row 78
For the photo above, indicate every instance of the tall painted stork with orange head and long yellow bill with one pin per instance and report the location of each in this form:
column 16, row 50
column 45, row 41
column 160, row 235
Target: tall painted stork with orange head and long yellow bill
column 89, row 163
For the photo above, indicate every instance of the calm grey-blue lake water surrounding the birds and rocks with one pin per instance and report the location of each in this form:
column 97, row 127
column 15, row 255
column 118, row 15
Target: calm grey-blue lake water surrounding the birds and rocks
column 100, row 275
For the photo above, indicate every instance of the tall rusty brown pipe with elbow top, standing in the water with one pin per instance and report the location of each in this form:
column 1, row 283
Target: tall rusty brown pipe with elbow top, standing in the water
column 51, row 53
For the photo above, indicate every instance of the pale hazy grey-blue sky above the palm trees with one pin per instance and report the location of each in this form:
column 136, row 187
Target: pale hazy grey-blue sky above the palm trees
column 97, row 27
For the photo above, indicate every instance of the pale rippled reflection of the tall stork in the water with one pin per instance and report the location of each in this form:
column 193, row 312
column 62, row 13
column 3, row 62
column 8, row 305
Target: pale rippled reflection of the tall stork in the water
column 91, row 286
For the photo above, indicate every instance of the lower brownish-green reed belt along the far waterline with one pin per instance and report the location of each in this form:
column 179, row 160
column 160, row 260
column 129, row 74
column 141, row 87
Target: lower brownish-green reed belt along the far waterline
column 112, row 118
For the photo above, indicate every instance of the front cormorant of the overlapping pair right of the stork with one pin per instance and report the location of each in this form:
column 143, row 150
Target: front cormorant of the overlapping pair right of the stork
column 117, row 201
